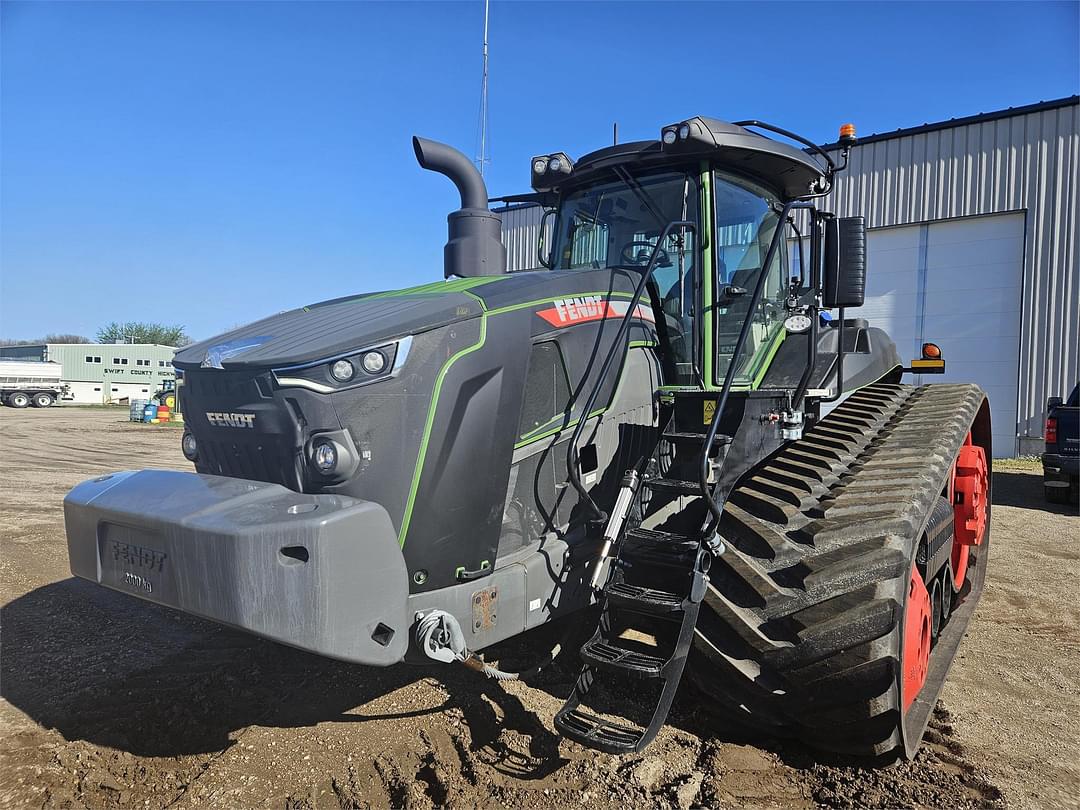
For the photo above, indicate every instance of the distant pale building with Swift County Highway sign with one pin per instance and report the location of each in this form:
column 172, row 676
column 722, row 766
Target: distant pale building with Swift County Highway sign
column 104, row 373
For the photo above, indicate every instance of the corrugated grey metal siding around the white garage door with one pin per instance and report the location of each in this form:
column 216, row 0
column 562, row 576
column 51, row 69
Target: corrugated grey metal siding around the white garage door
column 1024, row 164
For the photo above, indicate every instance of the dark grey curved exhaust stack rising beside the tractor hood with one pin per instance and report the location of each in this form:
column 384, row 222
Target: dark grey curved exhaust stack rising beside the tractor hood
column 475, row 246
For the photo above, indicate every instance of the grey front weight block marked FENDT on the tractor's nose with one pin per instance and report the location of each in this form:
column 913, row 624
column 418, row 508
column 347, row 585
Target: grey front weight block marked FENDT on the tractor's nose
column 323, row 573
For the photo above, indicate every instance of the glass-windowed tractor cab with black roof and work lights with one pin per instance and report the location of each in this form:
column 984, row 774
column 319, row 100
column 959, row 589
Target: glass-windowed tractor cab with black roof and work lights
column 736, row 192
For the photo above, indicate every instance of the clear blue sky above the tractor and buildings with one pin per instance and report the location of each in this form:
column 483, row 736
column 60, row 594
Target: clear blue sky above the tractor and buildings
column 211, row 164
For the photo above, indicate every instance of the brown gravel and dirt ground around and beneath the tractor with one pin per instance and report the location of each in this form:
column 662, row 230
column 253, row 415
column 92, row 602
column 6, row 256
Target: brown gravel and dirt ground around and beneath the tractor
column 113, row 703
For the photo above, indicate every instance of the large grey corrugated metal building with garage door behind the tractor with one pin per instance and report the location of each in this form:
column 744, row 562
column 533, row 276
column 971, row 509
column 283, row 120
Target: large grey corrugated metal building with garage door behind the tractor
column 974, row 238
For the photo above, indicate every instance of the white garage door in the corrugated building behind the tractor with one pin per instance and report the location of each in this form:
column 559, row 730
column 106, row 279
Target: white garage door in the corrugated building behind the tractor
column 956, row 283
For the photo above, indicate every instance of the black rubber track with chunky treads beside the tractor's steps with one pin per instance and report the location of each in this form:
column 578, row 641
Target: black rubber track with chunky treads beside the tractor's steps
column 801, row 630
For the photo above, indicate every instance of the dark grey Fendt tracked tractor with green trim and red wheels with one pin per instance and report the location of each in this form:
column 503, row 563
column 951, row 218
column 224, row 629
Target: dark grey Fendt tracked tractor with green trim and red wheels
column 673, row 426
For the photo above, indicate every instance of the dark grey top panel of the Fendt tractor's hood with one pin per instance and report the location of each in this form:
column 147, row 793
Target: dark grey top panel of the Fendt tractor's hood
column 342, row 326
